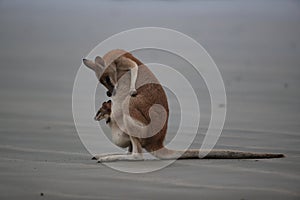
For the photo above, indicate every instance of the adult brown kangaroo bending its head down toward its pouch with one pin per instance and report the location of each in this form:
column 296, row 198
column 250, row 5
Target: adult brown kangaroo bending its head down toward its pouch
column 135, row 91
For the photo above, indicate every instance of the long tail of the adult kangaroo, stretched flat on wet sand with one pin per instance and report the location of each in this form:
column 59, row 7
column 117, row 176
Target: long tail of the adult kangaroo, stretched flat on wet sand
column 165, row 153
